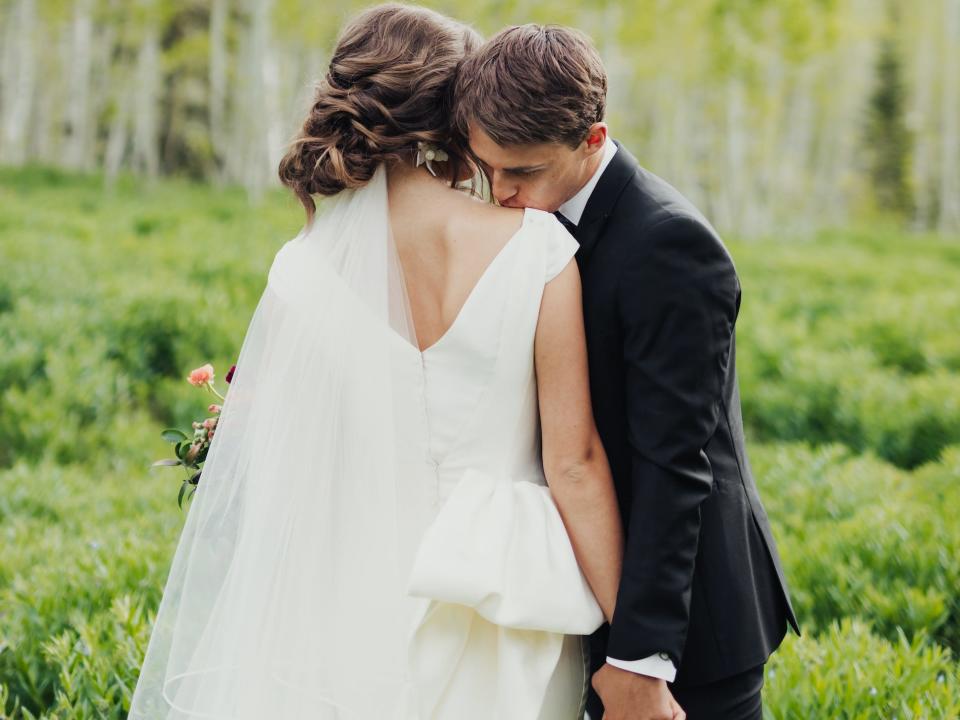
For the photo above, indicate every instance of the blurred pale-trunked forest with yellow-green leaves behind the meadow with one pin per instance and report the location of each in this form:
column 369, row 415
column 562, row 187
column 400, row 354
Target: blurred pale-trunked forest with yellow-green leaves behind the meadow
column 771, row 115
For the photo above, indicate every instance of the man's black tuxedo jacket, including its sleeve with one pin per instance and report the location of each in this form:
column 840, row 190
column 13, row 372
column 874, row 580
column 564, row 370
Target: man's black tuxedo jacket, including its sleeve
column 702, row 579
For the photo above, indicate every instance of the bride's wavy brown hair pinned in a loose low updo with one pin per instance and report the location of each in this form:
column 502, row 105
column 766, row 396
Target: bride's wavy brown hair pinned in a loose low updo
column 388, row 87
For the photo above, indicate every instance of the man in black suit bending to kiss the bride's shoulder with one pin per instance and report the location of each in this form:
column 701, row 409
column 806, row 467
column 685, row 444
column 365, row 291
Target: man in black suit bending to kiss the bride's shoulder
column 702, row 601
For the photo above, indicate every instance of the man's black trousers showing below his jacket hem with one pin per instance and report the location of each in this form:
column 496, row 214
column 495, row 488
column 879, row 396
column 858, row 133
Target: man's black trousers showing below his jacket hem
column 733, row 698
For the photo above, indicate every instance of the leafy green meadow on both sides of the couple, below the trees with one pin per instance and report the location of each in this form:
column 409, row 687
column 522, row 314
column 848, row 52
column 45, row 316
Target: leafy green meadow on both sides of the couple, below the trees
column 849, row 354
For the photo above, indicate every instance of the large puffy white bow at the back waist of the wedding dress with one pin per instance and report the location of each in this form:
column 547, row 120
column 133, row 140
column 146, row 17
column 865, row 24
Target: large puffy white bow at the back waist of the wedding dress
column 499, row 546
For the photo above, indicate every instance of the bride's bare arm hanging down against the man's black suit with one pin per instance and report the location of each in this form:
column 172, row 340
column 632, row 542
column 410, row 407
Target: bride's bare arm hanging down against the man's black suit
column 574, row 460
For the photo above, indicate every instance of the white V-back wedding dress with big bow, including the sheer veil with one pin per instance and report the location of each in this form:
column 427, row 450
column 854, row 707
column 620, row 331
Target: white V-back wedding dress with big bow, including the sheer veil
column 373, row 538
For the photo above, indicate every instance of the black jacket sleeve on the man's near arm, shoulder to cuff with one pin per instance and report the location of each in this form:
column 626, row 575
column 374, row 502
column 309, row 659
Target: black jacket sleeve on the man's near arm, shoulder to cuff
column 678, row 300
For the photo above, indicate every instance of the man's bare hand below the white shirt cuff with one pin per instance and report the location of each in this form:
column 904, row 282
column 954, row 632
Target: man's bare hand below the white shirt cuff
column 631, row 696
